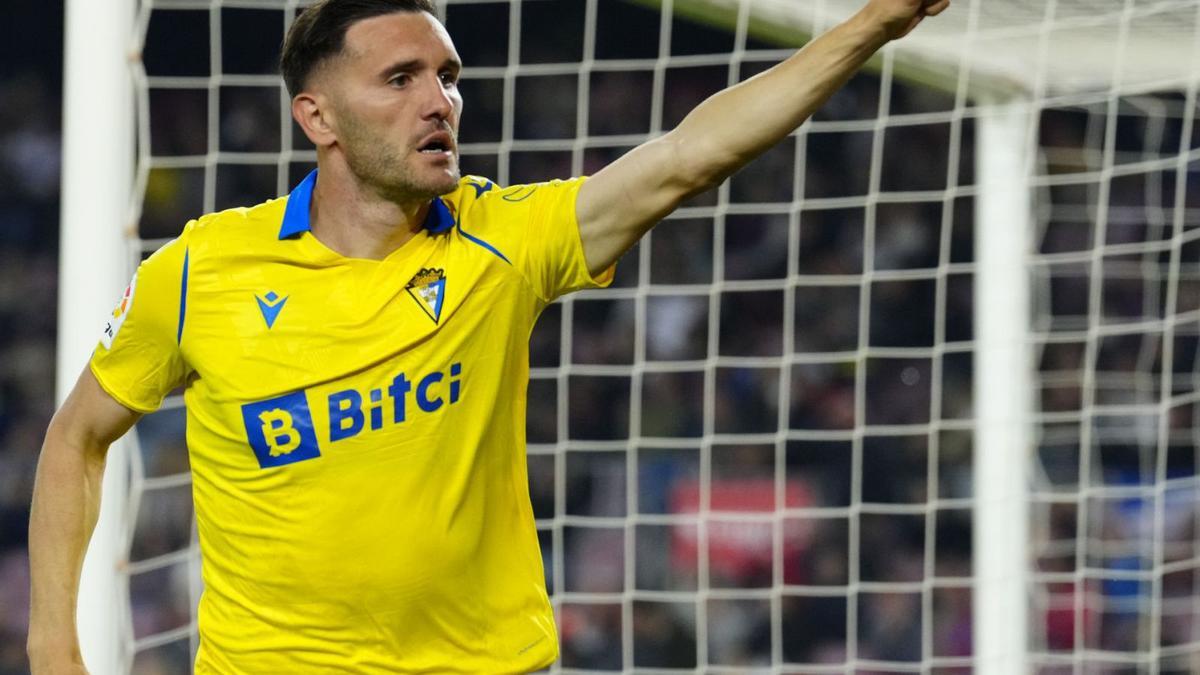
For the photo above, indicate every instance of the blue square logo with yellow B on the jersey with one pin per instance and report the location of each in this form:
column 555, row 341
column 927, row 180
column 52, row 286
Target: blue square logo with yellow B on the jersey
column 280, row 431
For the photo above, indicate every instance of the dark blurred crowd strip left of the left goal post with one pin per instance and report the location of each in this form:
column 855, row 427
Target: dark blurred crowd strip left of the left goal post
column 31, row 81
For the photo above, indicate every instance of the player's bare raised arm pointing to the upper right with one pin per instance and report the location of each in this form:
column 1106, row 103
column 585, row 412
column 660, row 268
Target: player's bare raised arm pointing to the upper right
column 725, row 133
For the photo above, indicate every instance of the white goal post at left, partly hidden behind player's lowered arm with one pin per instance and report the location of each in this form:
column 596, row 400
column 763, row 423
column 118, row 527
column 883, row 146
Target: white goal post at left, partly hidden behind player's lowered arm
column 94, row 266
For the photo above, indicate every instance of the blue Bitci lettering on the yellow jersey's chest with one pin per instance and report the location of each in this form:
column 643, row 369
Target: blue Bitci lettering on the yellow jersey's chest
column 352, row 413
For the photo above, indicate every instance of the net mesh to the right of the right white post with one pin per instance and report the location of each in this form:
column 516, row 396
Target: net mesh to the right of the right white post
column 1117, row 330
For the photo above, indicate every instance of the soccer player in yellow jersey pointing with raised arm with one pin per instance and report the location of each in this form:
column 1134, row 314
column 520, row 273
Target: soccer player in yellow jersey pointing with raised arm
column 355, row 360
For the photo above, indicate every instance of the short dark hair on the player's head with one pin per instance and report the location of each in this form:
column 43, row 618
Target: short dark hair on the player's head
column 320, row 33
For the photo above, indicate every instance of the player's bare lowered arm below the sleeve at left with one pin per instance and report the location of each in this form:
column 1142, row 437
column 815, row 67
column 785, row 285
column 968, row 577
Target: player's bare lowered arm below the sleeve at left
column 67, row 504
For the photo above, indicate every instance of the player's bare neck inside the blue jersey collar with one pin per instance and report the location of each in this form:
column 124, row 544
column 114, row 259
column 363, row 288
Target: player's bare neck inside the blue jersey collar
column 357, row 222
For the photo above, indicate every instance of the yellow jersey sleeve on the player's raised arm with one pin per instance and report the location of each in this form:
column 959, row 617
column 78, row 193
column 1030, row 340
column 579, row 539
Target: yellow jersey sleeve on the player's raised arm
column 535, row 229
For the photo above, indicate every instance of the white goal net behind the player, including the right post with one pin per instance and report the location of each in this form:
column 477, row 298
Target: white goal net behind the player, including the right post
column 776, row 445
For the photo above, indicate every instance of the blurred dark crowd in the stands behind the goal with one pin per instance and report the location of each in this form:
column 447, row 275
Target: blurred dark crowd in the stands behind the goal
column 833, row 363
